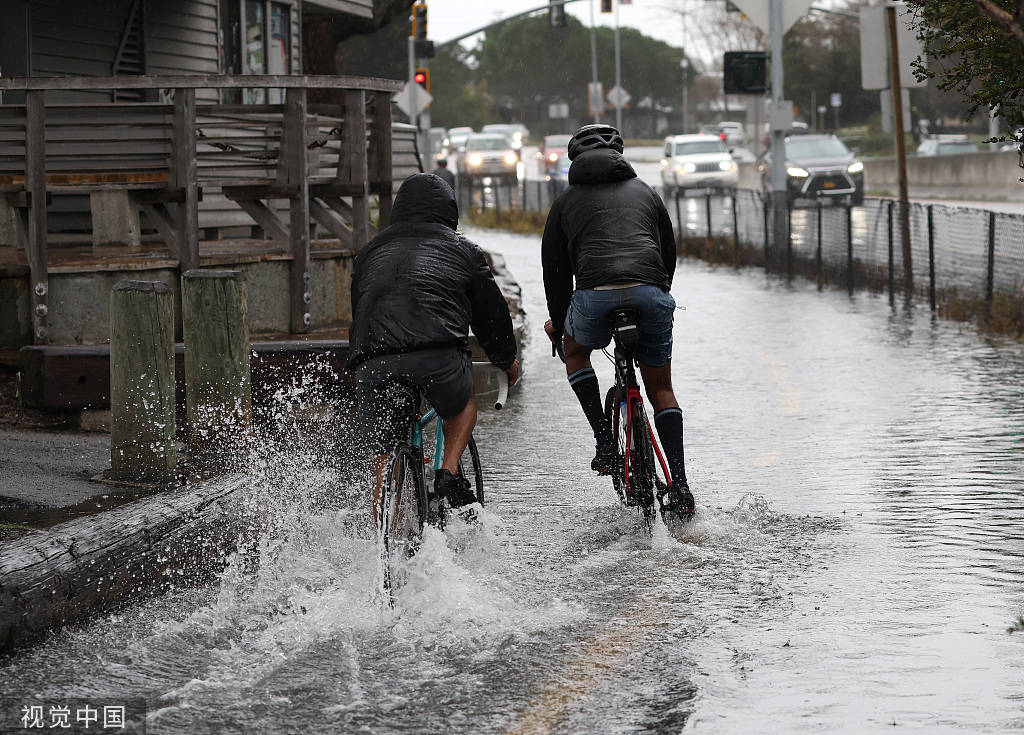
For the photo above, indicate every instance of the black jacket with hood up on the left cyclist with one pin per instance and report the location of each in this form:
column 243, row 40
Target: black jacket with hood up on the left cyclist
column 419, row 285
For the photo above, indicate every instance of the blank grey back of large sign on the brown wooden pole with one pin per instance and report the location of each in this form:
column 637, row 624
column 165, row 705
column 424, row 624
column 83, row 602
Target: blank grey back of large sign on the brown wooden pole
column 875, row 67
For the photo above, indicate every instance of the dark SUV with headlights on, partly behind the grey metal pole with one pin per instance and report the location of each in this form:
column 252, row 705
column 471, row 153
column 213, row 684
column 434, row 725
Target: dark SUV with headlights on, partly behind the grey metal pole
column 818, row 167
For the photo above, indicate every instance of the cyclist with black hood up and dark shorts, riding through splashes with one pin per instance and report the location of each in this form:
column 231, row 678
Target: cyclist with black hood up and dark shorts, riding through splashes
column 417, row 289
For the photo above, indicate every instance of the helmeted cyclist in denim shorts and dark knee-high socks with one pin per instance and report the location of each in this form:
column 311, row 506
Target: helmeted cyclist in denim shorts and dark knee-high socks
column 611, row 233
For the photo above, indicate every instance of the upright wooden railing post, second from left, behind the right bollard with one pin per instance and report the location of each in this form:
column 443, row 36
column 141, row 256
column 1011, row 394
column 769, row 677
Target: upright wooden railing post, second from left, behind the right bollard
column 185, row 176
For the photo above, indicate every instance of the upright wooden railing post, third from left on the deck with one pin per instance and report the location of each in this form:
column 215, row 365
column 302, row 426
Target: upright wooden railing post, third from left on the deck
column 295, row 174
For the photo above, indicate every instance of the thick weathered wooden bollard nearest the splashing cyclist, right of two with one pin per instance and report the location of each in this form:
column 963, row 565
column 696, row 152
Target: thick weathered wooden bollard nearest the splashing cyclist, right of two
column 216, row 328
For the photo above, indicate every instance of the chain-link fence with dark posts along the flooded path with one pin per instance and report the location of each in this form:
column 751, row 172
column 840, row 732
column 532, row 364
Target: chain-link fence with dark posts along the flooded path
column 961, row 251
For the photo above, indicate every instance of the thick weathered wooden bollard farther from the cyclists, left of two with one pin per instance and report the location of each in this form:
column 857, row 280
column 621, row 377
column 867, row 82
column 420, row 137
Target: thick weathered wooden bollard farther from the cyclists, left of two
column 143, row 447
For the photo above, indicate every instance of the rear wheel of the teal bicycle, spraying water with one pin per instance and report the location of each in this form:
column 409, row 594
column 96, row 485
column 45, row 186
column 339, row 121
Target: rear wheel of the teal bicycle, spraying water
column 403, row 512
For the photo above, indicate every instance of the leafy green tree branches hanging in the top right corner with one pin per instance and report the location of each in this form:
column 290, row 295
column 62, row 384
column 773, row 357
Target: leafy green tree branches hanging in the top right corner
column 977, row 50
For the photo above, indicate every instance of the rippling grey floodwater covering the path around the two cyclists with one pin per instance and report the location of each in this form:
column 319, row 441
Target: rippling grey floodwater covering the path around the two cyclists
column 855, row 567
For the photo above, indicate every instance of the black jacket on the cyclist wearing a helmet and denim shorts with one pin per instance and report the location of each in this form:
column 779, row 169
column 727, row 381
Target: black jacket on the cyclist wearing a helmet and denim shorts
column 609, row 228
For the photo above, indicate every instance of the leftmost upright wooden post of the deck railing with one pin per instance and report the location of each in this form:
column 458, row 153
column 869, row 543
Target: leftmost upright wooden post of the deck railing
column 35, row 186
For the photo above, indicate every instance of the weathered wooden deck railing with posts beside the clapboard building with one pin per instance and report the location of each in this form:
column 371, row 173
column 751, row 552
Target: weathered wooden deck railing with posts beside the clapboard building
column 165, row 156
